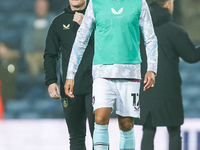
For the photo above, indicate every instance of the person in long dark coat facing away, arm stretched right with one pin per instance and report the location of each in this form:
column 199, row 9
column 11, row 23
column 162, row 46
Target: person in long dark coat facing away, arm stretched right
column 162, row 105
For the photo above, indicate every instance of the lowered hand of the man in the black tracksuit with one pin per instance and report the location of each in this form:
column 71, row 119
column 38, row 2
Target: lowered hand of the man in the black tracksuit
column 54, row 91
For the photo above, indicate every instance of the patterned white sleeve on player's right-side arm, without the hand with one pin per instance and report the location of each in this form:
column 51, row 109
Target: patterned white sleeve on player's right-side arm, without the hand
column 149, row 36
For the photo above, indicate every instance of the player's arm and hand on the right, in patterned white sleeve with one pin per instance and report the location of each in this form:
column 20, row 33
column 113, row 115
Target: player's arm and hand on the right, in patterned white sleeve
column 150, row 40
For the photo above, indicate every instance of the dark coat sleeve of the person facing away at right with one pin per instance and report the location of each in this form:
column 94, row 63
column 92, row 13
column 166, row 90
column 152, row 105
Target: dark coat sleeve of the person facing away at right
column 184, row 46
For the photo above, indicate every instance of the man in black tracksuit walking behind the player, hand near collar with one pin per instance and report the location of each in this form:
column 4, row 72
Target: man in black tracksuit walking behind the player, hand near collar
column 59, row 43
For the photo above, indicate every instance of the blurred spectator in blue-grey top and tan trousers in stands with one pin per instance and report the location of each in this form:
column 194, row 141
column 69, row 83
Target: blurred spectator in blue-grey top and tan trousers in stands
column 33, row 41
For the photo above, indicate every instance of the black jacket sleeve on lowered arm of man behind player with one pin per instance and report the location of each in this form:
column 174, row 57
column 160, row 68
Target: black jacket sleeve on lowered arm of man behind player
column 51, row 55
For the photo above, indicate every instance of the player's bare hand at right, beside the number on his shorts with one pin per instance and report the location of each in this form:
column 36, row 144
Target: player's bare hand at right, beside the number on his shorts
column 149, row 80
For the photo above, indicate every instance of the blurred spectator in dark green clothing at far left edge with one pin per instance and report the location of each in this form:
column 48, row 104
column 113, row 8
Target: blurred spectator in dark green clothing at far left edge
column 8, row 67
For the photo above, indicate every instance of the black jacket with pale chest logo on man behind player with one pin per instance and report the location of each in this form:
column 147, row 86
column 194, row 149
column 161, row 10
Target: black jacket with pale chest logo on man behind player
column 59, row 43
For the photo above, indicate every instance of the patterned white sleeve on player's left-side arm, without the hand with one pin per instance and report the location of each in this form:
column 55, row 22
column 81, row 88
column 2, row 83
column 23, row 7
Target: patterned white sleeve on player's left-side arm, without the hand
column 81, row 41
